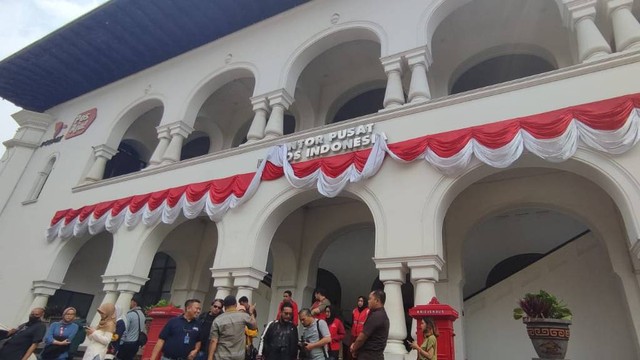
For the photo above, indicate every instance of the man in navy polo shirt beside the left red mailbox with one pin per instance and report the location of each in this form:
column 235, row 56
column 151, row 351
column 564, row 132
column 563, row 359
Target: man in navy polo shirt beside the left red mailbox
column 180, row 337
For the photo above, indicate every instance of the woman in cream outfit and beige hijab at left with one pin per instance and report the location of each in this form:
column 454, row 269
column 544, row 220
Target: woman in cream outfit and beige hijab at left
column 100, row 337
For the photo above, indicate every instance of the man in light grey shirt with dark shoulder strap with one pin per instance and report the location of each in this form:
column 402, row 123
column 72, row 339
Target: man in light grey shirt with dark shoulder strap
column 315, row 337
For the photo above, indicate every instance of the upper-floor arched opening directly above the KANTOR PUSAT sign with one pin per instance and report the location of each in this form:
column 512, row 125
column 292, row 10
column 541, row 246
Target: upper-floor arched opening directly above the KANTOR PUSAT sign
column 334, row 72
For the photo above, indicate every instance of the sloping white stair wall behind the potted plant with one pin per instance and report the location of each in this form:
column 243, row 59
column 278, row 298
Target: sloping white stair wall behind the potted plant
column 601, row 327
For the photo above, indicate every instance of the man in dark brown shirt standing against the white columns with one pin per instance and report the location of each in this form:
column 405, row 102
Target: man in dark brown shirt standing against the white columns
column 372, row 340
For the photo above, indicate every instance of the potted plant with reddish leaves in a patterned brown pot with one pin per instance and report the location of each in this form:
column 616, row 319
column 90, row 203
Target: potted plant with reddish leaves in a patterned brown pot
column 547, row 319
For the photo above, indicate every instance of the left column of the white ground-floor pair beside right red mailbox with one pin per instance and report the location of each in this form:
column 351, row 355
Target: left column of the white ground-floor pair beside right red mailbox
column 392, row 275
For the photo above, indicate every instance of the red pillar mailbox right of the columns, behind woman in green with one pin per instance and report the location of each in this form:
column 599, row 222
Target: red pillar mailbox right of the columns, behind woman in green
column 444, row 316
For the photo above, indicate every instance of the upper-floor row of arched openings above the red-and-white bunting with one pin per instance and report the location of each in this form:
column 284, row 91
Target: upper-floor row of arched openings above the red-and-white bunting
column 339, row 76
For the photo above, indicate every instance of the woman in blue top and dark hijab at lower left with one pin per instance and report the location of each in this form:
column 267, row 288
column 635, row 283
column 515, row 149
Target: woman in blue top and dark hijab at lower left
column 59, row 337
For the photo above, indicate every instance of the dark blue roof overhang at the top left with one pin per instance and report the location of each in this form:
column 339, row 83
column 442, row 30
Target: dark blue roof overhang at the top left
column 118, row 39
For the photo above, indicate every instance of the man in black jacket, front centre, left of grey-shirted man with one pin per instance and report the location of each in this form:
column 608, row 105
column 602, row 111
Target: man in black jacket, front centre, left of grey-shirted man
column 280, row 338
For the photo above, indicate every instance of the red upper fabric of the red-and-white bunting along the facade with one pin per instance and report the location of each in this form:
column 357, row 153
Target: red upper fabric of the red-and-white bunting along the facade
column 608, row 114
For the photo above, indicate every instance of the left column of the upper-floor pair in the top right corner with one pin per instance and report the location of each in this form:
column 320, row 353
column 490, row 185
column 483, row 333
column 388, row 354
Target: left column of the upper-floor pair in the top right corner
column 580, row 17
